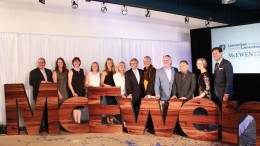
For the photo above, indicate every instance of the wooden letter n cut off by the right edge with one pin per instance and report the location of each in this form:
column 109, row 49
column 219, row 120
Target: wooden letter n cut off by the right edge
column 231, row 116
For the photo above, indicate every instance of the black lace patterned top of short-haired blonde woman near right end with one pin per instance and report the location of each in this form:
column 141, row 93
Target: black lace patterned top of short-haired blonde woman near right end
column 204, row 84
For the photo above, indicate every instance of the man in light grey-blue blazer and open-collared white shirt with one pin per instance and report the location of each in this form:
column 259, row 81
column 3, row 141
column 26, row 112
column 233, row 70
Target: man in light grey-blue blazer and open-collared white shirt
column 163, row 83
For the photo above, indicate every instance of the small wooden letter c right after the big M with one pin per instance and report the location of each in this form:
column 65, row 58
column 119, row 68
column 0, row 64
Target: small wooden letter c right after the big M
column 66, row 118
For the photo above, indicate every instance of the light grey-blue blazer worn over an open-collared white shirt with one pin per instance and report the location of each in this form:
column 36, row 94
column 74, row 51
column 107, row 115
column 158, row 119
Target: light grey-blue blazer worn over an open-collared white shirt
column 162, row 84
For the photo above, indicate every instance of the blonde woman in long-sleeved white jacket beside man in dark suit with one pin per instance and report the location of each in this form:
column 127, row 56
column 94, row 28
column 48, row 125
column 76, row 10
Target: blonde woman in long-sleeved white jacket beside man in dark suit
column 119, row 77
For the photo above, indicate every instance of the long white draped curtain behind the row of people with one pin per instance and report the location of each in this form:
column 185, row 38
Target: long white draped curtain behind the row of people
column 19, row 54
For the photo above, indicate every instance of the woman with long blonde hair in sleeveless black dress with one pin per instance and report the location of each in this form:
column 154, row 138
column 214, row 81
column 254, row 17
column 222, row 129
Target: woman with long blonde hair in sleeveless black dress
column 108, row 81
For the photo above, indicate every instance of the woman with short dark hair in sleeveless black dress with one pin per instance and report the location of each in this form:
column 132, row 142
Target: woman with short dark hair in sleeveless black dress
column 76, row 79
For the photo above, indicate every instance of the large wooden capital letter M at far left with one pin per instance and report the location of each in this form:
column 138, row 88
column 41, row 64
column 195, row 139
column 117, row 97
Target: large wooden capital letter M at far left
column 32, row 119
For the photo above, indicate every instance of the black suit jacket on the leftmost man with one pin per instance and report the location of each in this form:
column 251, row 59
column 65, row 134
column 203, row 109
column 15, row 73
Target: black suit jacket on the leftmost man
column 35, row 79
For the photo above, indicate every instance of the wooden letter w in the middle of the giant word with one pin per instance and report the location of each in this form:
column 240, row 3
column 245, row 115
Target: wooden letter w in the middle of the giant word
column 152, row 105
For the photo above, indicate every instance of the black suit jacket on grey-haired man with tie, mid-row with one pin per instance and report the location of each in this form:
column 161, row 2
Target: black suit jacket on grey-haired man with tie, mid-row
column 132, row 86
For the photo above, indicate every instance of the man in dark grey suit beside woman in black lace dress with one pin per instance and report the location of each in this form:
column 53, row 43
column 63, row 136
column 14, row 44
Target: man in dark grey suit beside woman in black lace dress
column 184, row 84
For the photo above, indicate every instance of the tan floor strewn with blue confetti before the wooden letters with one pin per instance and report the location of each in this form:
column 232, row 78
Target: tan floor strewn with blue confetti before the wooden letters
column 94, row 139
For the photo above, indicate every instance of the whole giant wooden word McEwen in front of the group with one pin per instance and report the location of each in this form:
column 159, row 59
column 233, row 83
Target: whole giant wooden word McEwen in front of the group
column 15, row 96
